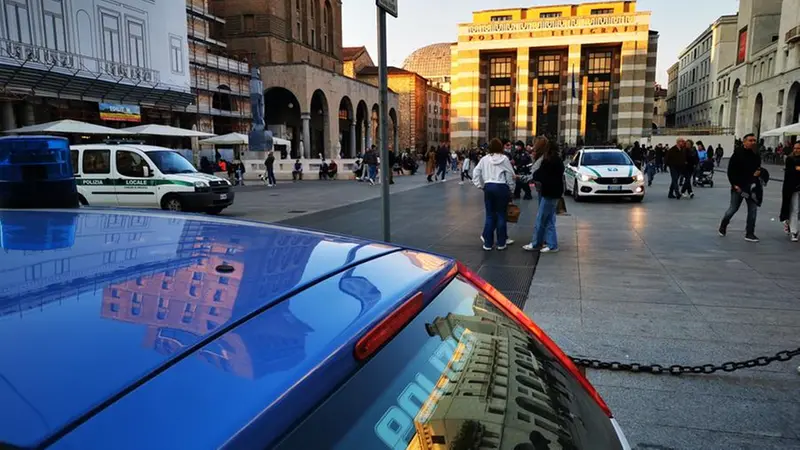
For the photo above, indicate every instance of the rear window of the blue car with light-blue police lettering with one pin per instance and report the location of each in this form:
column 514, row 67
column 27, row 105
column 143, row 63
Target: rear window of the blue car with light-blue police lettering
column 461, row 375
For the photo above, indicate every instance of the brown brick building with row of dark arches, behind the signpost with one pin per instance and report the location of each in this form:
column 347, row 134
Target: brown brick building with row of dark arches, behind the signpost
column 297, row 45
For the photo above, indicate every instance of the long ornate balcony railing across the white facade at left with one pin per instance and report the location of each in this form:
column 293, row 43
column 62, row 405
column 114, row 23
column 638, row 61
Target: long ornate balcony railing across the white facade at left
column 77, row 65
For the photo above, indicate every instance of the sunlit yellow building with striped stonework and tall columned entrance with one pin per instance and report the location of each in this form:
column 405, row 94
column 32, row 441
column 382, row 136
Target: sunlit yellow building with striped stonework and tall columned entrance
column 576, row 73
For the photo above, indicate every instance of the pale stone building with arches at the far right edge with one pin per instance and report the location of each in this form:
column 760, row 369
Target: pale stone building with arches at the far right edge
column 760, row 89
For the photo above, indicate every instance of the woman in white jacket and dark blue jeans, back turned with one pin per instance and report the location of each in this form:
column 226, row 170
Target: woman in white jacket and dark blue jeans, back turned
column 495, row 175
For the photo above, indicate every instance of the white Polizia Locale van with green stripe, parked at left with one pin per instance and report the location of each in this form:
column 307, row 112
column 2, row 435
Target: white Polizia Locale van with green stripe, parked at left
column 145, row 176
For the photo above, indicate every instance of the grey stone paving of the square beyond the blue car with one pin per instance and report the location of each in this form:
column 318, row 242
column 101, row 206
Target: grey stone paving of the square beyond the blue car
column 650, row 283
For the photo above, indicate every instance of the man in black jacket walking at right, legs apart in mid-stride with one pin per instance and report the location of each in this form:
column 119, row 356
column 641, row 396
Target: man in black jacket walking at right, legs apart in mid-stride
column 744, row 169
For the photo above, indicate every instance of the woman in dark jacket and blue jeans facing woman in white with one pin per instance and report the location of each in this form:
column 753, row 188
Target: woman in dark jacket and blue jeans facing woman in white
column 550, row 176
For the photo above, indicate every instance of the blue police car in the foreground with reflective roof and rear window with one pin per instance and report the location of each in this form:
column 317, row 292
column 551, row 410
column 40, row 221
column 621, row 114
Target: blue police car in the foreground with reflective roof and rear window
column 123, row 330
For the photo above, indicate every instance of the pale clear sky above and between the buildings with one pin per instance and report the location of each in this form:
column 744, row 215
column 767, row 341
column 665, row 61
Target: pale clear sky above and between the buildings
column 424, row 22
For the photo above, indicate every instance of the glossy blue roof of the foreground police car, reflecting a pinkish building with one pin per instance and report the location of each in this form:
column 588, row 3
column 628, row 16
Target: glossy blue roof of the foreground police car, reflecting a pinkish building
column 100, row 311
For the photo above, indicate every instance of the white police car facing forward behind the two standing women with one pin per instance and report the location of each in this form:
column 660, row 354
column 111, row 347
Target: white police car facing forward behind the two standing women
column 603, row 172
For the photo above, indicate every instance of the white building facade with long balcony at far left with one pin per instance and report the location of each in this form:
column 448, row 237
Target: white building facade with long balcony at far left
column 64, row 59
